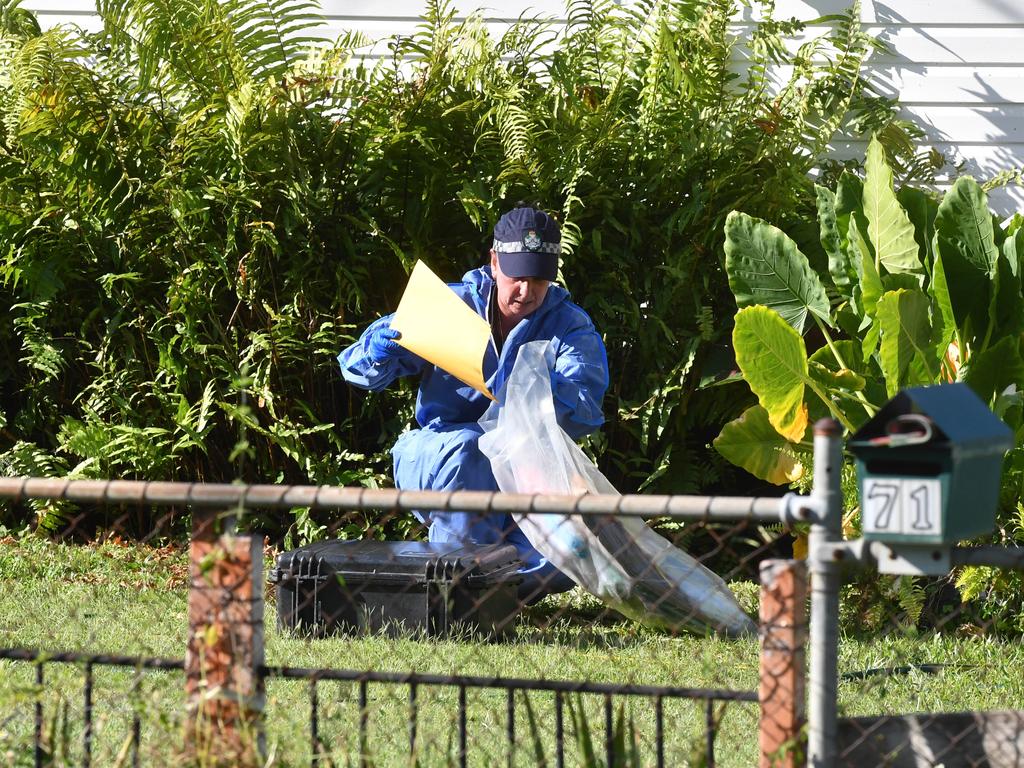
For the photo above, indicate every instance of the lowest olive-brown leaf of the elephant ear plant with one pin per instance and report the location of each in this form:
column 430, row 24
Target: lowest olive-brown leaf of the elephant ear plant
column 752, row 443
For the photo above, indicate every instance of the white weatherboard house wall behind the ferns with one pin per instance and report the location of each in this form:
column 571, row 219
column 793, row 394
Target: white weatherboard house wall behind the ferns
column 956, row 65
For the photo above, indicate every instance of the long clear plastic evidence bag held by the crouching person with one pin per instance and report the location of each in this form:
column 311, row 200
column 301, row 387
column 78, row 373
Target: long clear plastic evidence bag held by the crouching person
column 623, row 563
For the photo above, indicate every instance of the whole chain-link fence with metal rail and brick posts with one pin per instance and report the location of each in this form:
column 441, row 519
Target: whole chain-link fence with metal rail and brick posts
column 232, row 651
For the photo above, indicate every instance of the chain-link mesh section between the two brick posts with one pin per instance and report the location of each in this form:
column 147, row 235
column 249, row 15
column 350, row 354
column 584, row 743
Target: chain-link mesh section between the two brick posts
column 505, row 674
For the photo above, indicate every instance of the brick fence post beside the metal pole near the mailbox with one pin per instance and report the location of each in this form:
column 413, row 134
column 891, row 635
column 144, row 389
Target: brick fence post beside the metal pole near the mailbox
column 784, row 638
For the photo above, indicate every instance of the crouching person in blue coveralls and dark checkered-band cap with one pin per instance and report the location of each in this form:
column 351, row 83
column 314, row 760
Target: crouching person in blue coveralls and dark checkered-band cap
column 517, row 295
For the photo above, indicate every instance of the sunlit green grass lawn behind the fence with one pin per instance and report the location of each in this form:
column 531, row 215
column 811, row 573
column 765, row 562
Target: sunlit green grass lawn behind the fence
column 133, row 601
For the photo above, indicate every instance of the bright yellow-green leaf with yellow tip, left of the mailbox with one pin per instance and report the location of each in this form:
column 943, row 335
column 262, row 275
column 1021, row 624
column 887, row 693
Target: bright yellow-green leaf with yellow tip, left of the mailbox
column 773, row 357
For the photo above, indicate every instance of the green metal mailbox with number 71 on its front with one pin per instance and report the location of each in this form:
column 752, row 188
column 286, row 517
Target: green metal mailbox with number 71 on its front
column 929, row 466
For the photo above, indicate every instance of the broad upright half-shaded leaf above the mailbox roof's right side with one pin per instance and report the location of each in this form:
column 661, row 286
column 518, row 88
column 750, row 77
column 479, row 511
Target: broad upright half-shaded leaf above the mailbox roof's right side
column 966, row 243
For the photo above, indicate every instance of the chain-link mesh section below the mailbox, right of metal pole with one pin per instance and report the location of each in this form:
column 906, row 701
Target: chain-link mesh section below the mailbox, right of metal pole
column 925, row 676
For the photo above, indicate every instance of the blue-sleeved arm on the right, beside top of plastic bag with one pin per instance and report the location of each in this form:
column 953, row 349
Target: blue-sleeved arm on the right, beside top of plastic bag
column 579, row 381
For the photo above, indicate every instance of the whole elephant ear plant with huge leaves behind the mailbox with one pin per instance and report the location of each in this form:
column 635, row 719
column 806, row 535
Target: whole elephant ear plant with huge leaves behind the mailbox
column 917, row 292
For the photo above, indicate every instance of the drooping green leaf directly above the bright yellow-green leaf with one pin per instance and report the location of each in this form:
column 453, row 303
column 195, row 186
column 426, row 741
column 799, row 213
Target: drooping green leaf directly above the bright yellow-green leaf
column 766, row 268
